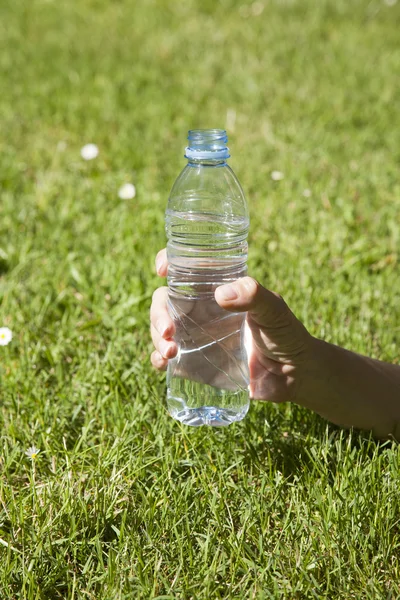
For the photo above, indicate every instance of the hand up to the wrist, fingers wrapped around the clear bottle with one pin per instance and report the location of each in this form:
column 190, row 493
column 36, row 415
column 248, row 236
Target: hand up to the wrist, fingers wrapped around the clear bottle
column 277, row 343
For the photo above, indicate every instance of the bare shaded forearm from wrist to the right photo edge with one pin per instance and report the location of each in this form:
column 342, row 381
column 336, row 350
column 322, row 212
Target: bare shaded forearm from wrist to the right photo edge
column 352, row 390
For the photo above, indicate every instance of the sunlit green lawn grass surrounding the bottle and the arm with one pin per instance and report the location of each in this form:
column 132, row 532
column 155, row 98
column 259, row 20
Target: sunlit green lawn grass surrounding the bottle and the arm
column 123, row 502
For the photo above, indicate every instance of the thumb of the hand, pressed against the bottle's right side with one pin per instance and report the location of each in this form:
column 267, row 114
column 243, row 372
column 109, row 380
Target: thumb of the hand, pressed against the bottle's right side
column 246, row 294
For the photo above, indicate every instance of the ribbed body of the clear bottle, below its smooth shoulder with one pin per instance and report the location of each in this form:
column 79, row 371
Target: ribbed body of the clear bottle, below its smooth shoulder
column 208, row 380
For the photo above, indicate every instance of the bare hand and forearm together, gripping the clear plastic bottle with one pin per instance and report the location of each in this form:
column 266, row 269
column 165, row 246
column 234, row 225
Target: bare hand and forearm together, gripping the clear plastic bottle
column 287, row 363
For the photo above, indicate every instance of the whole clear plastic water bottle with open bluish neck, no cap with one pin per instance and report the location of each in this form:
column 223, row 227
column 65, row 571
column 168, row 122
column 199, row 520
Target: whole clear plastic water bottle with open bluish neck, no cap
column 206, row 224
